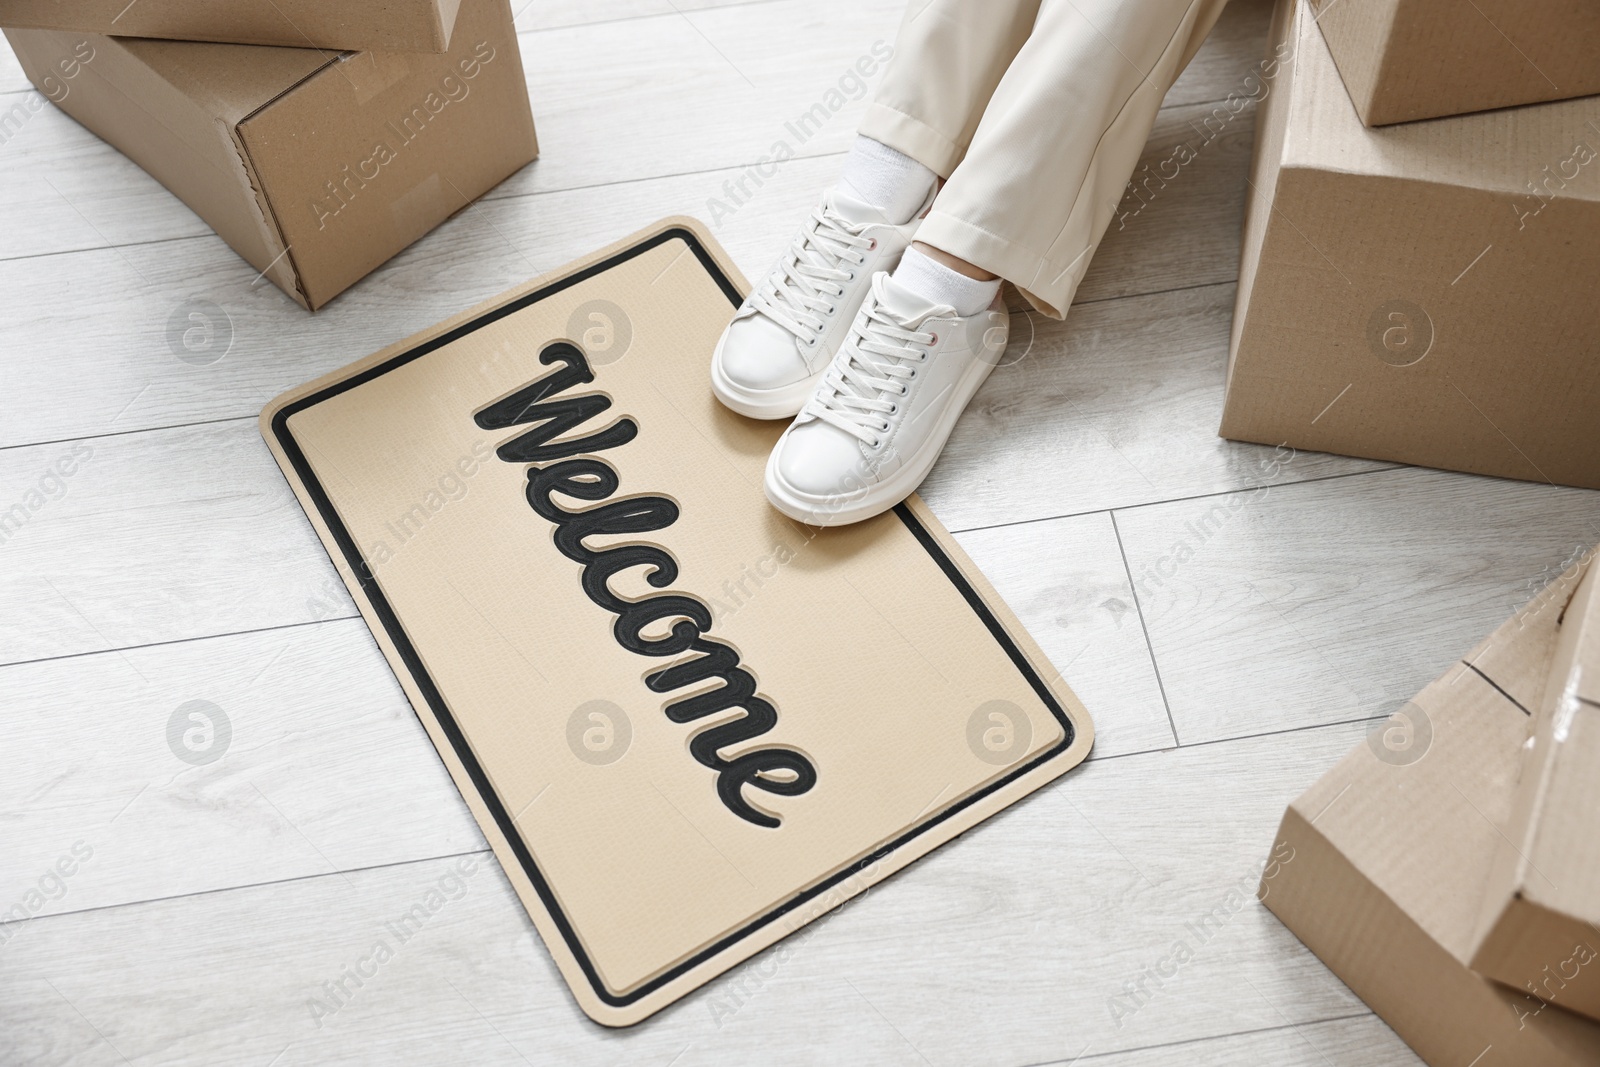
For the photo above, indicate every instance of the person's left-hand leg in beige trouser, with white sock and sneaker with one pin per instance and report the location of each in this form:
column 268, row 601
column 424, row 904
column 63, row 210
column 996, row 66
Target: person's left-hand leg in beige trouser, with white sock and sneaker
column 950, row 58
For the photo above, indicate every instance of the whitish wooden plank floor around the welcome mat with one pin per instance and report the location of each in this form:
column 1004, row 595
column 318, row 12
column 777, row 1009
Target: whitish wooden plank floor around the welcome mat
column 174, row 565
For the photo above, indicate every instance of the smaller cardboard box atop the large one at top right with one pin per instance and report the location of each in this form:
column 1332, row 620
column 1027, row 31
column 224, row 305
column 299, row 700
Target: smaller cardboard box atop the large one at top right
column 1406, row 60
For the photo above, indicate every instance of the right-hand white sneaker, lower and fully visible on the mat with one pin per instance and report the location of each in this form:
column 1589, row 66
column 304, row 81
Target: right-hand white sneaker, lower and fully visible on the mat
column 884, row 409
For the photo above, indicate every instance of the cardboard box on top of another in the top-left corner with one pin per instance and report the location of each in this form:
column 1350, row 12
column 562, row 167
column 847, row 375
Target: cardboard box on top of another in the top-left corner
column 348, row 25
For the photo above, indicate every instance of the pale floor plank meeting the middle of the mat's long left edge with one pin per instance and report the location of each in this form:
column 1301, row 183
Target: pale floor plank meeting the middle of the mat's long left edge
column 308, row 761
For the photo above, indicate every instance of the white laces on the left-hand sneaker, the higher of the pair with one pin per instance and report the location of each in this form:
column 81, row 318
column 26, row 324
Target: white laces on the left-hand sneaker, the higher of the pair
column 801, row 292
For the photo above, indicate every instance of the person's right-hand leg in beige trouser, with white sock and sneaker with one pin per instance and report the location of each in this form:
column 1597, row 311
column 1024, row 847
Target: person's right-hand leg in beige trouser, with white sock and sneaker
column 1026, row 202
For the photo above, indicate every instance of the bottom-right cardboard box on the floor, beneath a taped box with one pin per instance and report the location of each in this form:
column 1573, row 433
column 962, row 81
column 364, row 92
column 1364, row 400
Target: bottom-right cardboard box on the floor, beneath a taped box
column 1380, row 866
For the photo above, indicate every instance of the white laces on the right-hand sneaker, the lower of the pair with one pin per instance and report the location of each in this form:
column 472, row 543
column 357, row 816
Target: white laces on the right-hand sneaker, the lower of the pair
column 873, row 374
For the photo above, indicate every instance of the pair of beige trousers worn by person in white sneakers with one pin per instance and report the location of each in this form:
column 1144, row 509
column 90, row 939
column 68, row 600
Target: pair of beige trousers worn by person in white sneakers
column 1038, row 113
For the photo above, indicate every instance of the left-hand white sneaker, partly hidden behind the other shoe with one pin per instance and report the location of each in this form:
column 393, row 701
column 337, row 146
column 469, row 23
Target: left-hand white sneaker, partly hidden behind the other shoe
column 786, row 332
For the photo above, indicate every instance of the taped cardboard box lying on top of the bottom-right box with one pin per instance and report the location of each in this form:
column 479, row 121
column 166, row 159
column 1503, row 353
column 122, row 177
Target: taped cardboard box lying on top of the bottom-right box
column 1542, row 913
